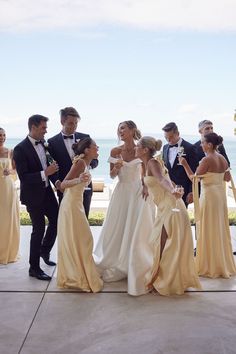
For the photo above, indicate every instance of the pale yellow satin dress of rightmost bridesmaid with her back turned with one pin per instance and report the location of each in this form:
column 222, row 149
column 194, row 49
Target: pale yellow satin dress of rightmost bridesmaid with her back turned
column 214, row 250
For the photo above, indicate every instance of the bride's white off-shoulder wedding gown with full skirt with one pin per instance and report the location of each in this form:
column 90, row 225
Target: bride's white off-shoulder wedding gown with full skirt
column 123, row 249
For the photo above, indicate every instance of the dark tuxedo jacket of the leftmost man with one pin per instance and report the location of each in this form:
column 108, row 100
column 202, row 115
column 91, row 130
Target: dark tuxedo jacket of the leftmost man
column 29, row 167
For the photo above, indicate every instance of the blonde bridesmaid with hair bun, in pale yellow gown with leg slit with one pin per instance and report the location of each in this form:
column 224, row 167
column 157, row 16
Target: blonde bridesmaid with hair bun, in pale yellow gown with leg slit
column 173, row 268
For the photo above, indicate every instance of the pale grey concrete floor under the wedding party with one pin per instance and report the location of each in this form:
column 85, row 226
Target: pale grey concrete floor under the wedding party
column 39, row 318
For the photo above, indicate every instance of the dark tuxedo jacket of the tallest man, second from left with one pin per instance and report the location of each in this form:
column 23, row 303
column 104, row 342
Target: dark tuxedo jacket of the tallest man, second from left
column 59, row 152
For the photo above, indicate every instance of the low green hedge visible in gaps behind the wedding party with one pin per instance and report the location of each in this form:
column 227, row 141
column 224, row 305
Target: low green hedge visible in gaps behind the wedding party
column 97, row 218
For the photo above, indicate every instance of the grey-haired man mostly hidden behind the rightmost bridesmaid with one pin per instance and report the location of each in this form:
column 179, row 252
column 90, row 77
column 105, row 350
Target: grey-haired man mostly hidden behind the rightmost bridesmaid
column 205, row 127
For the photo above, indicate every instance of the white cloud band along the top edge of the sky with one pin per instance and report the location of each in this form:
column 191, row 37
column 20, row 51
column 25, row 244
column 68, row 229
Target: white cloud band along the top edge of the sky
column 200, row 15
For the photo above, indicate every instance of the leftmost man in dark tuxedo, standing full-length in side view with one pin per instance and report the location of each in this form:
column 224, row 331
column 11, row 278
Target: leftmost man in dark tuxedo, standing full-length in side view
column 34, row 168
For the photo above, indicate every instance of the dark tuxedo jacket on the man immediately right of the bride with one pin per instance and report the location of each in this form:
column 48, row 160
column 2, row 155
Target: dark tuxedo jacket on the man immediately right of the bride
column 176, row 172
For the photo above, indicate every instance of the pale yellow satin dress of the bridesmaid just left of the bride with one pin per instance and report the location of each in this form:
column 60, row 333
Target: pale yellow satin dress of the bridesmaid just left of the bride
column 76, row 267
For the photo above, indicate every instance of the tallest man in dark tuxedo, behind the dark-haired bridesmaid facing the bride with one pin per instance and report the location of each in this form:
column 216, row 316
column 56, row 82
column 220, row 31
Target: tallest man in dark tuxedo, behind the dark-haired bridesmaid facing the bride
column 60, row 147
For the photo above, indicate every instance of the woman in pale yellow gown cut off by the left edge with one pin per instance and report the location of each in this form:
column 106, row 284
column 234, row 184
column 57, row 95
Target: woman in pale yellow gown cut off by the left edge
column 9, row 206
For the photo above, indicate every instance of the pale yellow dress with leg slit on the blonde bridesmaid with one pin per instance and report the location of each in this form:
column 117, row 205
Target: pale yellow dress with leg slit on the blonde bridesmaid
column 175, row 271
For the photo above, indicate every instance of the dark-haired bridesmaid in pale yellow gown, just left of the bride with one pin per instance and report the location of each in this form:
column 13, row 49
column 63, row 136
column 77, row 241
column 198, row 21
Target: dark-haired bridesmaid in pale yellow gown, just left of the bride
column 76, row 267
